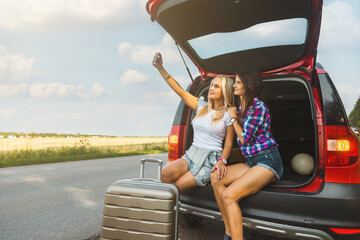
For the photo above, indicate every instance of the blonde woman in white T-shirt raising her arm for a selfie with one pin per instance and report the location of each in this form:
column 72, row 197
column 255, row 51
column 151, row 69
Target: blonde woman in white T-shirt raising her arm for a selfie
column 211, row 126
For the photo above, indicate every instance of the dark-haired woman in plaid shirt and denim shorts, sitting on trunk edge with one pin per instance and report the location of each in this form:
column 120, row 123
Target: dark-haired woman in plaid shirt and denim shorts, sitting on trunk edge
column 263, row 165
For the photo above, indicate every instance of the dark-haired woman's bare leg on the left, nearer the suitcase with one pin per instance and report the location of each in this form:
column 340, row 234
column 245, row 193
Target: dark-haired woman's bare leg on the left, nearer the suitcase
column 219, row 186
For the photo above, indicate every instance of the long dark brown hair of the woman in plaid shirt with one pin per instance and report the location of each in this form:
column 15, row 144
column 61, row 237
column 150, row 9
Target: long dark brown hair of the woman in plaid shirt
column 252, row 83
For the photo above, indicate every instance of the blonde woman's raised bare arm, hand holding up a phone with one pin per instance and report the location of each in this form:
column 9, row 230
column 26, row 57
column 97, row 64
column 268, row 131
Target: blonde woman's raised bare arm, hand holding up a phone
column 187, row 97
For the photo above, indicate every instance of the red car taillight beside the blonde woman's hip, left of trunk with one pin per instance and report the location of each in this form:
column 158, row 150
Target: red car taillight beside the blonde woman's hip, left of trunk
column 175, row 142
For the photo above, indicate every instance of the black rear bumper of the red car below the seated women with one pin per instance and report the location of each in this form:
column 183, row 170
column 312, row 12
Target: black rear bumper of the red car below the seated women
column 289, row 214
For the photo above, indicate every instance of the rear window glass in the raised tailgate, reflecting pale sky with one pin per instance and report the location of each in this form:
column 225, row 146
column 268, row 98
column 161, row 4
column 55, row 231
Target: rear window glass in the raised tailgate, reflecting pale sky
column 275, row 33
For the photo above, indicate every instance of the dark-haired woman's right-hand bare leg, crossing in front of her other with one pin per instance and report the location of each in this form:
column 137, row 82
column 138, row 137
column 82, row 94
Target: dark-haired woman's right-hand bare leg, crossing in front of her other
column 252, row 181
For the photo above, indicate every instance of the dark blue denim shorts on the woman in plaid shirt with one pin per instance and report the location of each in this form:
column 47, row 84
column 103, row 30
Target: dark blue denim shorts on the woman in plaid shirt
column 268, row 158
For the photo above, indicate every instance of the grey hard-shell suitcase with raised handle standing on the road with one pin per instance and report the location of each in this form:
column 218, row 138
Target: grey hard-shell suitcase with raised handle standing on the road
column 141, row 208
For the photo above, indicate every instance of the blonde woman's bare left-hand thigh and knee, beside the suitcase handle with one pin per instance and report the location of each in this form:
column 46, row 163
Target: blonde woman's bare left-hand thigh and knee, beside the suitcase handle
column 173, row 171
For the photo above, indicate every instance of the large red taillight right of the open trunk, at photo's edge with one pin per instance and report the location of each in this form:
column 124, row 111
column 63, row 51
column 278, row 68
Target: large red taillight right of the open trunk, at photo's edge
column 342, row 155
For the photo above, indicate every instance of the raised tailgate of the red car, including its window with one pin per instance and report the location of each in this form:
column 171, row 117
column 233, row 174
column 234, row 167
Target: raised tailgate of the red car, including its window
column 228, row 36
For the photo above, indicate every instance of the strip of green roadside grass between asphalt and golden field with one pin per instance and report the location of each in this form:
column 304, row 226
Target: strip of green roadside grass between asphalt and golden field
column 77, row 152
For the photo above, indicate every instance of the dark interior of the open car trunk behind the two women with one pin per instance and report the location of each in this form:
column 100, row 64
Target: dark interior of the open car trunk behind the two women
column 292, row 124
